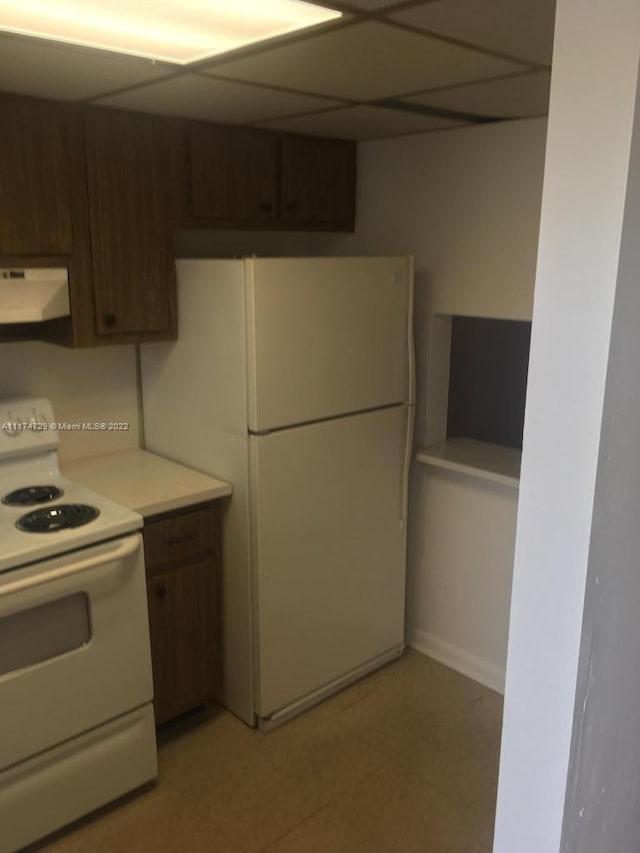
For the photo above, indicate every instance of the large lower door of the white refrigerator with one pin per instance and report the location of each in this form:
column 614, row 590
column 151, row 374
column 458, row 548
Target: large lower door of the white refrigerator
column 328, row 551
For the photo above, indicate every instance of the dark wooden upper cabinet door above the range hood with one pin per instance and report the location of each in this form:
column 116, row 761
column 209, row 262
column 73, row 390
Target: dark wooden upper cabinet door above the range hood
column 35, row 191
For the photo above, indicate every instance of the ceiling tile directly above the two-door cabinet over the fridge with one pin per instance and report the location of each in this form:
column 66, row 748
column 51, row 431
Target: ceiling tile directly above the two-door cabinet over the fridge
column 361, row 122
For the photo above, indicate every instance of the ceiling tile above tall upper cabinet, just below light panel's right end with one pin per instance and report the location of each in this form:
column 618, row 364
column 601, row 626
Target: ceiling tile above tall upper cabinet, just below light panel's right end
column 194, row 96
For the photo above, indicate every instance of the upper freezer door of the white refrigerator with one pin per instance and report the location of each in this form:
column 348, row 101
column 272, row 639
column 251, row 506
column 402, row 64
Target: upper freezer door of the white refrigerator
column 326, row 336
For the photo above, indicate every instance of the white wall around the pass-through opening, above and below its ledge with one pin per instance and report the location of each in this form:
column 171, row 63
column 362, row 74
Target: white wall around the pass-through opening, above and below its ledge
column 466, row 204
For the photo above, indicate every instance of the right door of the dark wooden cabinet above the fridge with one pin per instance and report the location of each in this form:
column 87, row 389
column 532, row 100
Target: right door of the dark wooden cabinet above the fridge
column 318, row 181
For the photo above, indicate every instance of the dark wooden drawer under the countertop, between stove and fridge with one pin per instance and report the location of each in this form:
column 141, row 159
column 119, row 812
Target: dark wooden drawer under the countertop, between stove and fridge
column 179, row 538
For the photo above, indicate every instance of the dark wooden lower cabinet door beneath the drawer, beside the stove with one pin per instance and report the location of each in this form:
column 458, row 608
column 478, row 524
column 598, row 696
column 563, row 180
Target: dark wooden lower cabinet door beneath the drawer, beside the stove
column 184, row 638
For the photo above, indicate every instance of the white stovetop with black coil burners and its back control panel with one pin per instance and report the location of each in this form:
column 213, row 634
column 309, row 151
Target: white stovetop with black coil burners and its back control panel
column 58, row 514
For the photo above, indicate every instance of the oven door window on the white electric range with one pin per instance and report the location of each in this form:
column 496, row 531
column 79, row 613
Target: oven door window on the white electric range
column 45, row 632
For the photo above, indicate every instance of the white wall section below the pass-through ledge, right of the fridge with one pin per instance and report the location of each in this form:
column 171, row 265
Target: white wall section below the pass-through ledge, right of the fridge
column 460, row 568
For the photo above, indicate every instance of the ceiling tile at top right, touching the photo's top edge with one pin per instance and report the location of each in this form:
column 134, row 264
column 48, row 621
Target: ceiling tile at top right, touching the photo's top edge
column 519, row 28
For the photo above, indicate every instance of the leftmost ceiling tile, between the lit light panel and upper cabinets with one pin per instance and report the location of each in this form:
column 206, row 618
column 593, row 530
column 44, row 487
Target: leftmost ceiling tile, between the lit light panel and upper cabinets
column 48, row 70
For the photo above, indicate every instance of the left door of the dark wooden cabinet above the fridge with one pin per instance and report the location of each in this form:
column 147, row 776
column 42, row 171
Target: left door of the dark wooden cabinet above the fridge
column 233, row 173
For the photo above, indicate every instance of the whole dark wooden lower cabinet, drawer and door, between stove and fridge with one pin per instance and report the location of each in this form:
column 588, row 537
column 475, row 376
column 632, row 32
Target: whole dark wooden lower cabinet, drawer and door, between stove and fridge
column 184, row 609
